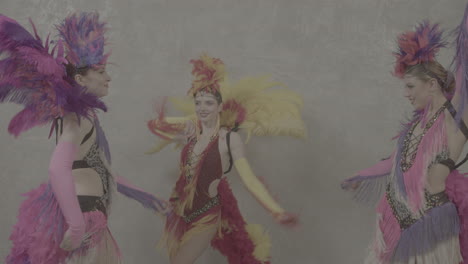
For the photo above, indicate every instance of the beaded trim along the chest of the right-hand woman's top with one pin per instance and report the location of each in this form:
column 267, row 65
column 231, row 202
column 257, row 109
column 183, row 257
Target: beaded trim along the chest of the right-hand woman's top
column 412, row 142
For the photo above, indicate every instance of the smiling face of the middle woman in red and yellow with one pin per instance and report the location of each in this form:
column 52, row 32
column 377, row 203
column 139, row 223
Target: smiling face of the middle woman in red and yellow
column 206, row 107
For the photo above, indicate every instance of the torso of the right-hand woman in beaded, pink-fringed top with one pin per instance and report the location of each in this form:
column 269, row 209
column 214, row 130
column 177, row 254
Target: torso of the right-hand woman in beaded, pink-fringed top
column 441, row 143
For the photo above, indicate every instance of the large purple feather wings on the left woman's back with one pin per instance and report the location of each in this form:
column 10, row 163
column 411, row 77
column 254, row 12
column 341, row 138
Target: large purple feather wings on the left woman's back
column 34, row 76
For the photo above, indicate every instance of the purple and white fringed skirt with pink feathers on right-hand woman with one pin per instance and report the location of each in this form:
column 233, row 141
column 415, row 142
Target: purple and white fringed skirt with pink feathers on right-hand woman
column 439, row 236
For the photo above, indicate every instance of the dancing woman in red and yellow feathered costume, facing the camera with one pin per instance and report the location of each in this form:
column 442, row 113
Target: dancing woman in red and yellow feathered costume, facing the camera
column 204, row 207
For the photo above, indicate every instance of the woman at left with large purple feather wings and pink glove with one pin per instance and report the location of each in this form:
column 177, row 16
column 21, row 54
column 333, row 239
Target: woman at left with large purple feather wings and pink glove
column 65, row 219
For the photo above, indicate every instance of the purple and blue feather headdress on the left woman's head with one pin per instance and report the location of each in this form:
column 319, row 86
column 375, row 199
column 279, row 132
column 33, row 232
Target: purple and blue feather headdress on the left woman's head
column 84, row 39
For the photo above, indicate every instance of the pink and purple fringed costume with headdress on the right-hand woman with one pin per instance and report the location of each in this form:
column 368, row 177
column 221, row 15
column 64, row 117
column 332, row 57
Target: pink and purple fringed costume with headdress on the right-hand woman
column 414, row 225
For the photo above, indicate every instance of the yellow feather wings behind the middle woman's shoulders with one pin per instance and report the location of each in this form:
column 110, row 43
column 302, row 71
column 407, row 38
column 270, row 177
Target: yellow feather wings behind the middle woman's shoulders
column 257, row 106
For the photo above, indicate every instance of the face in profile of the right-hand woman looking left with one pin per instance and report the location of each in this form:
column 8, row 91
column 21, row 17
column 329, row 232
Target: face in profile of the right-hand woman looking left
column 417, row 91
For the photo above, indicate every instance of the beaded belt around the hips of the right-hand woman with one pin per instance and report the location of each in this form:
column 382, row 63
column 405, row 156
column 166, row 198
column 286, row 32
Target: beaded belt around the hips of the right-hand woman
column 404, row 215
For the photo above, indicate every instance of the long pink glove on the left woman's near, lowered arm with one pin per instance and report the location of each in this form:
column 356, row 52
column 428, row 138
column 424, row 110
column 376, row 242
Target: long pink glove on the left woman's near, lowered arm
column 63, row 186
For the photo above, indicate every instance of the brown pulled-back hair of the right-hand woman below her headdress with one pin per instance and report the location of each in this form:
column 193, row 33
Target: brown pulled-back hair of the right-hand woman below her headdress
column 433, row 69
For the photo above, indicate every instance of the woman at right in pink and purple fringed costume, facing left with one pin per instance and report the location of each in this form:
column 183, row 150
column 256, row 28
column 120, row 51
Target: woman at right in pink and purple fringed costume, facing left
column 421, row 218
